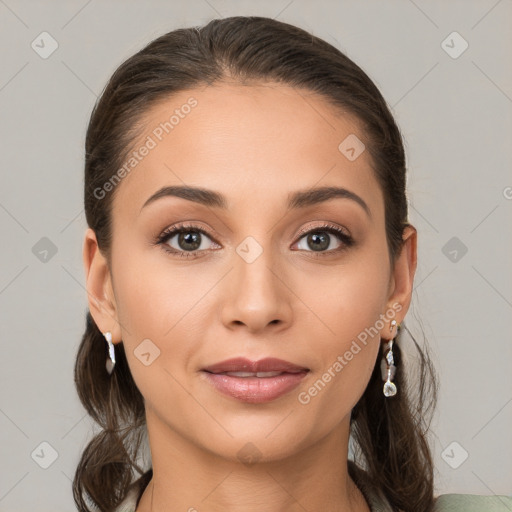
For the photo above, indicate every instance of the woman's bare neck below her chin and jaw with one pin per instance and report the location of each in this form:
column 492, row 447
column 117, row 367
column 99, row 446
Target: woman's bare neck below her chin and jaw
column 189, row 478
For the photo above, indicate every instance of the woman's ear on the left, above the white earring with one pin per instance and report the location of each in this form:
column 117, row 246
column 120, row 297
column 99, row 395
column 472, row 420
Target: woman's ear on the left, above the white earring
column 99, row 288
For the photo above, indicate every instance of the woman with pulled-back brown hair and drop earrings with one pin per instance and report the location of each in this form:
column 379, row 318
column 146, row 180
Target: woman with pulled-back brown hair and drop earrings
column 249, row 267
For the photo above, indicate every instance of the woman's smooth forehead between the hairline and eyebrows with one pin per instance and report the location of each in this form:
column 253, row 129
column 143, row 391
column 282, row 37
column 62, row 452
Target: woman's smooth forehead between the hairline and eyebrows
column 252, row 143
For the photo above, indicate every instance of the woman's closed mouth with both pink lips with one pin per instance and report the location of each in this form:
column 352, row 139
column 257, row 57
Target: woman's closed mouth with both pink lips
column 254, row 381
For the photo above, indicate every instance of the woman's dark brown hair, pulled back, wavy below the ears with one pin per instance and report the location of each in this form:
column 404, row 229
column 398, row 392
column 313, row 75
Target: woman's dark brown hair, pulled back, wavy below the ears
column 390, row 433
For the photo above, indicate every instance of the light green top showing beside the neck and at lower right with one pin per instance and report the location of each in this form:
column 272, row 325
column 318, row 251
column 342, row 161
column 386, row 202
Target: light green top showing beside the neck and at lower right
column 378, row 503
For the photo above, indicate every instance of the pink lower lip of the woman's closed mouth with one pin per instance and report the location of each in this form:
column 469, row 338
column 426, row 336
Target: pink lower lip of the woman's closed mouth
column 255, row 390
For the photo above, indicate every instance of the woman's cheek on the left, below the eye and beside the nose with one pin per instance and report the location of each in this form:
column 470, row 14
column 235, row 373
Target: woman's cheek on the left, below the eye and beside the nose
column 161, row 315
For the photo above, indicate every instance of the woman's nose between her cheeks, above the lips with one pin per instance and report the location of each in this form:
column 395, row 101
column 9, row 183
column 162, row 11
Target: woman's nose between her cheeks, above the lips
column 256, row 295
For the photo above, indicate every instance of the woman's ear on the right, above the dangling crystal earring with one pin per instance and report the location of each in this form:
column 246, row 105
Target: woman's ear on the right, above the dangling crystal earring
column 402, row 275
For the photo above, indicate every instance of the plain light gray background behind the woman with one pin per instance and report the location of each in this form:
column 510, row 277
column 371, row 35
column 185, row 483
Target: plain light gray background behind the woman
column 455, row 114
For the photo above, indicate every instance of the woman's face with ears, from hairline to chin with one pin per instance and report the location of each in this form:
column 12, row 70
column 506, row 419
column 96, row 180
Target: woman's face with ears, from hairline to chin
column 253, row 274
